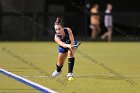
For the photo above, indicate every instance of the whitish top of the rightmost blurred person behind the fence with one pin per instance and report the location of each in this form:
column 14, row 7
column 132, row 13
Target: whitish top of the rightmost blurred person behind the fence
column 108, row 21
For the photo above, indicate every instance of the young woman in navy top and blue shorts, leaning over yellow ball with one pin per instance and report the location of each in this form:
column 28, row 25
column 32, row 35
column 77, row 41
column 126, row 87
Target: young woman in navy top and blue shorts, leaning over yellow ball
column 65, row 39
